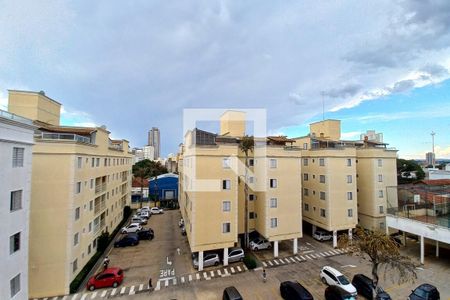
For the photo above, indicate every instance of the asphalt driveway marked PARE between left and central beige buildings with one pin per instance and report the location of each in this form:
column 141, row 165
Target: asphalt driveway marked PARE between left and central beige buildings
column 163, row 258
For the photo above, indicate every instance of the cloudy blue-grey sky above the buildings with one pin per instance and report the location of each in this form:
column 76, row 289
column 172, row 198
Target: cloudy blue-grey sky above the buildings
column 131, row 65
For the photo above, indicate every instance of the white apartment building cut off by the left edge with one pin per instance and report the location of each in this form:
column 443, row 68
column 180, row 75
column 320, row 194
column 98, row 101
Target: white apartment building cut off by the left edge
column 16, row 140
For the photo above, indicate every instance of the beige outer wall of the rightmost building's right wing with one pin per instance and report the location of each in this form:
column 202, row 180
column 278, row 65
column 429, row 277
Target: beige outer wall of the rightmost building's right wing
column 376, row 170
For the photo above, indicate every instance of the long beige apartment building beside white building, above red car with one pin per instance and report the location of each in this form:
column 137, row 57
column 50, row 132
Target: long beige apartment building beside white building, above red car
column 81, row 181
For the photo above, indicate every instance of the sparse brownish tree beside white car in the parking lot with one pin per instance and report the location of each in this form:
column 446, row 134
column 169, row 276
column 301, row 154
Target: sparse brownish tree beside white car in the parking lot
column 382, row 252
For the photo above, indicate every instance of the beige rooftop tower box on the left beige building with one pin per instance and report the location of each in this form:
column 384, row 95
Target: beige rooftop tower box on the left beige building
column 35, row 106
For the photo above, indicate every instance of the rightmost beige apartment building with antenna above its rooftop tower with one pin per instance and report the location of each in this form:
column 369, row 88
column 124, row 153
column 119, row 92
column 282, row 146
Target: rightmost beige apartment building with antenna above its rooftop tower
column 344, row 182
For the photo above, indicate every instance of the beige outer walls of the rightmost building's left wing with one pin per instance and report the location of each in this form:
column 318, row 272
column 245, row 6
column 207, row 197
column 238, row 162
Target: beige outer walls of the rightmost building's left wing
column 336, row 187
